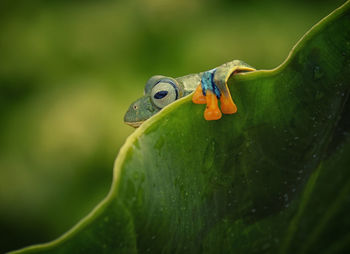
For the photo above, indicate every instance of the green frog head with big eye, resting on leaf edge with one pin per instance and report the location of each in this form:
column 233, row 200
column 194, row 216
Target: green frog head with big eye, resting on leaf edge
column 160, row 91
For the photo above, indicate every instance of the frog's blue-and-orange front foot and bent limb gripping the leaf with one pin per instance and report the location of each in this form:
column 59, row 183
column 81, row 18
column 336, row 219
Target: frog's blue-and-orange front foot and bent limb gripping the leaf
column 213, row 87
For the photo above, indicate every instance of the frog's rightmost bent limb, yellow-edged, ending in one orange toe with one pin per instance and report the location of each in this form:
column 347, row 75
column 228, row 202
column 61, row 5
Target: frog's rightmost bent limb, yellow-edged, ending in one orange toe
column 221, row 76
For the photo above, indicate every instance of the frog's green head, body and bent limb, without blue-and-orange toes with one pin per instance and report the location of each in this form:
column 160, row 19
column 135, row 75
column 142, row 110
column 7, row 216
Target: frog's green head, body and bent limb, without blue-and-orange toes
column 145, row 107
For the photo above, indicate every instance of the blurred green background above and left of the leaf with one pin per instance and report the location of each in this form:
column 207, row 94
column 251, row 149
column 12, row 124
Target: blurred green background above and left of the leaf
column 70, row 69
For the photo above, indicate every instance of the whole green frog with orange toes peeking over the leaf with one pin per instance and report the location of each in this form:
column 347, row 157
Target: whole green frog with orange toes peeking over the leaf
column 208, row 87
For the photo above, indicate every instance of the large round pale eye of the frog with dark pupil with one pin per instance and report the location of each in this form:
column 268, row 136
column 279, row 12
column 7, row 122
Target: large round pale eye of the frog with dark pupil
column 164, row 93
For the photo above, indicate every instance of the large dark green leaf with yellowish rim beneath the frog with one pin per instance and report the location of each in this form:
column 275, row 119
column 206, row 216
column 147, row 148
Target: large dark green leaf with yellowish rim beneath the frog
column 272, row 178
